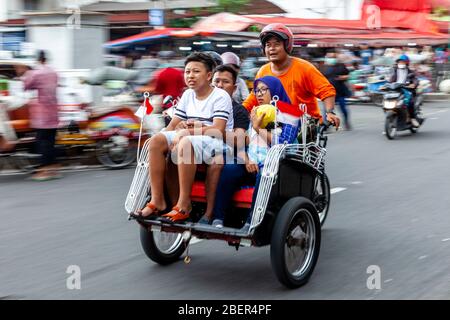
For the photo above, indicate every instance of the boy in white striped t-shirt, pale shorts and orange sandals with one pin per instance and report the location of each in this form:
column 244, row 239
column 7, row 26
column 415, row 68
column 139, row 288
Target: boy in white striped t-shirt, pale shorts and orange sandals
column 196, row 134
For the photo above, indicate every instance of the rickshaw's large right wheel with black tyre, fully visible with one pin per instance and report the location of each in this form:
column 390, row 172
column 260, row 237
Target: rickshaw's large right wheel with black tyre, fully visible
column 295, row 242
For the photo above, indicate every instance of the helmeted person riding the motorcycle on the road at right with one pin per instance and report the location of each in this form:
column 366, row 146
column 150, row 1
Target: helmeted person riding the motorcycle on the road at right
column 403, row 74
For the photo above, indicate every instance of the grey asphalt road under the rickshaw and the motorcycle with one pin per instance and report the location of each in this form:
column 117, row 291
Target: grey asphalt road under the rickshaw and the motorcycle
column 390, row 208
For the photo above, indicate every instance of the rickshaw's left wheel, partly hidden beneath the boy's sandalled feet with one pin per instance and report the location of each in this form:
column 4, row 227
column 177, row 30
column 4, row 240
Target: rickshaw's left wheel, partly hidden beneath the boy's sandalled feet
column 162, row 247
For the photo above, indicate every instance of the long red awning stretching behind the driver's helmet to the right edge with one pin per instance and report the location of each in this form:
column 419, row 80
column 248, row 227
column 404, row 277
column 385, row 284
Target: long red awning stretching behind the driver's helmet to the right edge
column 395, row 28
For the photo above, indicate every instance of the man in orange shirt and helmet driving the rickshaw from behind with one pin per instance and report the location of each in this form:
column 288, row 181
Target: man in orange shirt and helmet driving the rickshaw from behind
column 301, row 80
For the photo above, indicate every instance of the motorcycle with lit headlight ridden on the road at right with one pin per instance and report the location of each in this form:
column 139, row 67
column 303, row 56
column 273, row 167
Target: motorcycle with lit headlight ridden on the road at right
column 395, row 102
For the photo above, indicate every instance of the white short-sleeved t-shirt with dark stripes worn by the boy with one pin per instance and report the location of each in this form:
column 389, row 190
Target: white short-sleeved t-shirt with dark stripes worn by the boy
column 217, row 105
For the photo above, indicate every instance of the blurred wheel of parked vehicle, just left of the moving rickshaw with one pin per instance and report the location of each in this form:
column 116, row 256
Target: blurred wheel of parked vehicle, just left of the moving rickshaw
column 117, row 152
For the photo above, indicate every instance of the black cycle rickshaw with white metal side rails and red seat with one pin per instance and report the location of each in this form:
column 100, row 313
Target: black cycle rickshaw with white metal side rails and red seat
column 291, row 205
